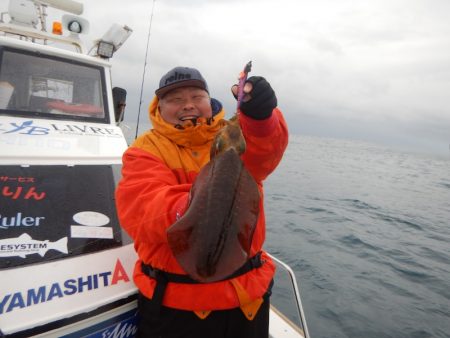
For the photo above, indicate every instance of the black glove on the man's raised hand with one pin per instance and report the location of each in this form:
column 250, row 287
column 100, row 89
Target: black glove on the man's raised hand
column 262, row 99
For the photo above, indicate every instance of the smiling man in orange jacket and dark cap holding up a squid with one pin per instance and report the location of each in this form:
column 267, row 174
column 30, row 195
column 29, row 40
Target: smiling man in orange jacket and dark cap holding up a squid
column 159, row 169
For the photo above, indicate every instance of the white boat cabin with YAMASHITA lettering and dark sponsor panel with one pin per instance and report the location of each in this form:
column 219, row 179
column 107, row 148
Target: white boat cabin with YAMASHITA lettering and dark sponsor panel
column 66, row 265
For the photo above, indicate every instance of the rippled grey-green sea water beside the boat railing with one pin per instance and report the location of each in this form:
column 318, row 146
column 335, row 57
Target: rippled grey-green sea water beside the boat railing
column 367, row 231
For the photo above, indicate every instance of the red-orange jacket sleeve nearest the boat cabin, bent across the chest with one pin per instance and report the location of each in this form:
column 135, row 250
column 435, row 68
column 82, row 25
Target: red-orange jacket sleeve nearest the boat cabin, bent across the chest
column 149, row 199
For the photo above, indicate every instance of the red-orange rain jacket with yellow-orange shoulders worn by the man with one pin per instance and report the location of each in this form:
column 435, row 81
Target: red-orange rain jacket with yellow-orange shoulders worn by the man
column 158, row 171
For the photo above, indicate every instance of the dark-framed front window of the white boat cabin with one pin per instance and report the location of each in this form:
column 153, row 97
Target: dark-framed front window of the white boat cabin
column 33, row 84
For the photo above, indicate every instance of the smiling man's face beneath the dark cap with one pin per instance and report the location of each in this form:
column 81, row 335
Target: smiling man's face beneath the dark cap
column 185, row 103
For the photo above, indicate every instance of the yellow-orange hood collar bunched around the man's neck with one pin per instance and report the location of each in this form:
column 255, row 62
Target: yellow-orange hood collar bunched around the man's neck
column 189, row 135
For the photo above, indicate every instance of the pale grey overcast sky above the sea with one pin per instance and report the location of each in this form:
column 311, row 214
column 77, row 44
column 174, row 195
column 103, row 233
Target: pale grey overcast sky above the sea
column 361, row 69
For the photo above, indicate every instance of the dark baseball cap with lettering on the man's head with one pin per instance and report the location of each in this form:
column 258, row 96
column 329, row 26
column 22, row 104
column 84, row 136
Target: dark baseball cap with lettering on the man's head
column 180, row 77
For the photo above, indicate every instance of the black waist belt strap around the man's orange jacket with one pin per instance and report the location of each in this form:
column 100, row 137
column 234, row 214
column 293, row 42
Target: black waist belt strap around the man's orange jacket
column 163, row 278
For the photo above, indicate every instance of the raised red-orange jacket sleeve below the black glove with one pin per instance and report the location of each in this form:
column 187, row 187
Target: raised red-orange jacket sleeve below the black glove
column 266, row 142
